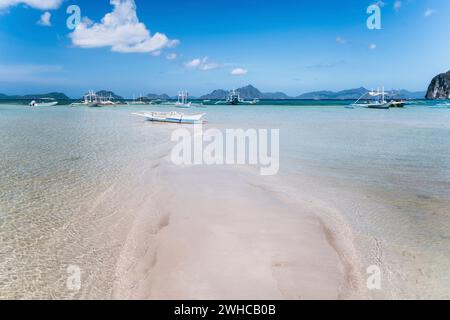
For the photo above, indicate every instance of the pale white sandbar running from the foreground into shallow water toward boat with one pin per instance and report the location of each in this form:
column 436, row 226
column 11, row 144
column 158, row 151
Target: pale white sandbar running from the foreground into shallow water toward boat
column 211, row 233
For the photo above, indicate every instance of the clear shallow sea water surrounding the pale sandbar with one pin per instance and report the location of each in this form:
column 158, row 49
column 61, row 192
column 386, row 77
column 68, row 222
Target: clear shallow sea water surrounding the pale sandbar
column 69, row 177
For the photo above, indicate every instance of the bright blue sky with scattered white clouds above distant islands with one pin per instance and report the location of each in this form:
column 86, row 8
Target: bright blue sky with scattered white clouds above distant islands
column 137, row 47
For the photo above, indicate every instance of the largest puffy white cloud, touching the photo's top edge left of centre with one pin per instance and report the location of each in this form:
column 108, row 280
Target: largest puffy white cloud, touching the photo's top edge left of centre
column 120, row 30
